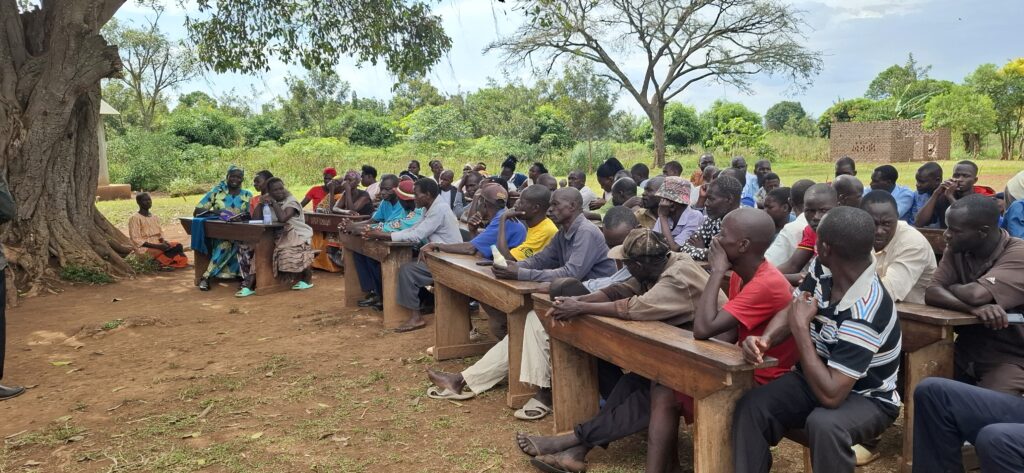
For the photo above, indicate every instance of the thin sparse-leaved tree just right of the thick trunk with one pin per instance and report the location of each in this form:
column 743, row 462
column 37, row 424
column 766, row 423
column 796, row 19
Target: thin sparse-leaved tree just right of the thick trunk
column 153, row 65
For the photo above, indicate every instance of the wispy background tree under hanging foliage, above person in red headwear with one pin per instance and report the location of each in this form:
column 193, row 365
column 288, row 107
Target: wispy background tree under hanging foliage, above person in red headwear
column 313, row 102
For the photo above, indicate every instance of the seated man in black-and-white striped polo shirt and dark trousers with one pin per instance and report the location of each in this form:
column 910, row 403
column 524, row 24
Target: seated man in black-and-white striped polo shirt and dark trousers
column 843, row 391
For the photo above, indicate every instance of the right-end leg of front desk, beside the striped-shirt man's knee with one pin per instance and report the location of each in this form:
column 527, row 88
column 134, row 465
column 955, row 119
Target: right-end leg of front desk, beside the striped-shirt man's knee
column 713, row 429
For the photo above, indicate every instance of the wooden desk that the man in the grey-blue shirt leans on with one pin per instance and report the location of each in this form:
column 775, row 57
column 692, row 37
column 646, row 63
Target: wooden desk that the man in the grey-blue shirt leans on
column 457, row 281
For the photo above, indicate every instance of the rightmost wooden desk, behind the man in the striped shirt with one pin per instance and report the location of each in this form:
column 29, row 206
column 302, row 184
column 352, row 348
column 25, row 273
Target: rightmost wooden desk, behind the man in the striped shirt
column 928, row 351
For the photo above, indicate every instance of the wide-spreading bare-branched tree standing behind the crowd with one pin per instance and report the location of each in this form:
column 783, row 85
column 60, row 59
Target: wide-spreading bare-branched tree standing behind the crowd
column 682, row 42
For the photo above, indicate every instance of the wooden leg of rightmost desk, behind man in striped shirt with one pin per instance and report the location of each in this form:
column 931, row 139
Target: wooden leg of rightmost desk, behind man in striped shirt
column 935, row 360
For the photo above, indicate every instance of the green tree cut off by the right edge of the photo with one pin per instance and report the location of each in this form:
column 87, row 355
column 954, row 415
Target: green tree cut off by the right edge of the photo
column 1005, row 87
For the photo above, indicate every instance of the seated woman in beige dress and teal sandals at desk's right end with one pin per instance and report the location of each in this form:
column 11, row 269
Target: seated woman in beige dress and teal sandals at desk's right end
column 293, row 253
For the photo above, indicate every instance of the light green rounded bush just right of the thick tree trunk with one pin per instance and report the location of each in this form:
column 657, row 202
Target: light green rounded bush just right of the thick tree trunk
column 145, row 160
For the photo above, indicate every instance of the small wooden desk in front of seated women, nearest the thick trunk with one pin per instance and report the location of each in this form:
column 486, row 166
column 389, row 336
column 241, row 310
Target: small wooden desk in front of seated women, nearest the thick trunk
column 258, row 236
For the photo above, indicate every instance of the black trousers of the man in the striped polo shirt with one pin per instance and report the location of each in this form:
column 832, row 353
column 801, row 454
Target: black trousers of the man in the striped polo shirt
column 765, row 414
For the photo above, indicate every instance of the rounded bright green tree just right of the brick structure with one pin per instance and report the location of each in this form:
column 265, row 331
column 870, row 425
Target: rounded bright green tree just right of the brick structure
column 964, row 111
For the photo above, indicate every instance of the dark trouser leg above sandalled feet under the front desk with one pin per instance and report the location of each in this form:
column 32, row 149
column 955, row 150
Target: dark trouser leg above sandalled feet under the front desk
column 626, row 411
